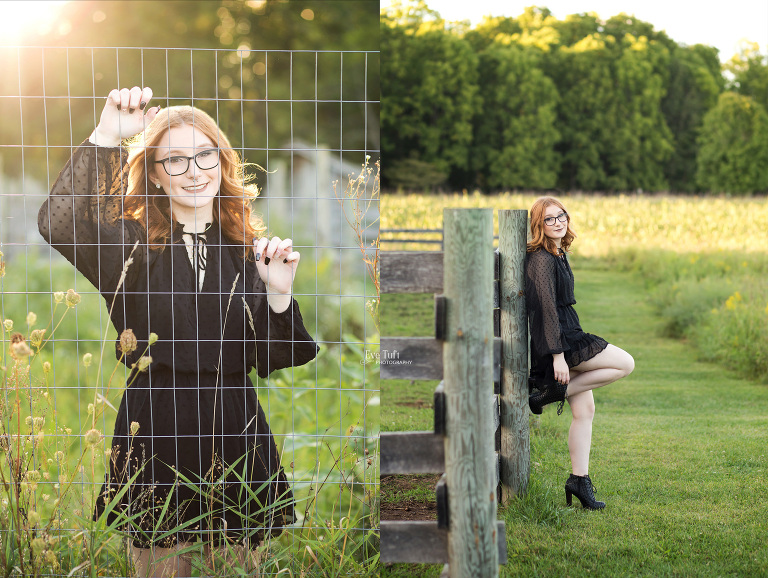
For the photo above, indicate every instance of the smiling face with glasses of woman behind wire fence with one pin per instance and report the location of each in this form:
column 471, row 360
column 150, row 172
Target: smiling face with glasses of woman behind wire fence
column 195, row 189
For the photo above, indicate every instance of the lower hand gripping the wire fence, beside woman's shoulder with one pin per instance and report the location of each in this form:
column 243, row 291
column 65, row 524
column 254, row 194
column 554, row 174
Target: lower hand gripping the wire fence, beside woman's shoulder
column 277, row 262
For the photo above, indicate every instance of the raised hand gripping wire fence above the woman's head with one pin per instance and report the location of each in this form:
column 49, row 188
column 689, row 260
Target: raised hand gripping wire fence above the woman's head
column 123, row 116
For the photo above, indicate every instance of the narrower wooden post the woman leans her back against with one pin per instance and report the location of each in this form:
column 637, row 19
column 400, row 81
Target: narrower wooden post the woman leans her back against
column 515, row 441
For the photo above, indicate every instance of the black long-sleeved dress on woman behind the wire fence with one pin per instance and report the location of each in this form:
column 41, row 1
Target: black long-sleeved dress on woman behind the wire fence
column 195, row 406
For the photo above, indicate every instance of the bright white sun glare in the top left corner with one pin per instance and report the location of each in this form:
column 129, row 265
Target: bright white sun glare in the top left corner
column 22, row 19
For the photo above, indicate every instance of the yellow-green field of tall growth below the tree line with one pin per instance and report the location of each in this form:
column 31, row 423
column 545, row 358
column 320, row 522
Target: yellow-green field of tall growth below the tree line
column 703, row 260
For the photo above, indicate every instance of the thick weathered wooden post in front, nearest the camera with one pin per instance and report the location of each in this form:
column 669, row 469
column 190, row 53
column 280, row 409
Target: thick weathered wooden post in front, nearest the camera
column 468, row 376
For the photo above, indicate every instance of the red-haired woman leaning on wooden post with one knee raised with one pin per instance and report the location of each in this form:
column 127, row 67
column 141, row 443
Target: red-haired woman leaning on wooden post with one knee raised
column 566, row 362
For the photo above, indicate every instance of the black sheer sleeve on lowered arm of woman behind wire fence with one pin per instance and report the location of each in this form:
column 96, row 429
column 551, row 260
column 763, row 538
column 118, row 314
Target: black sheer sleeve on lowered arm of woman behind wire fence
column 281, row 338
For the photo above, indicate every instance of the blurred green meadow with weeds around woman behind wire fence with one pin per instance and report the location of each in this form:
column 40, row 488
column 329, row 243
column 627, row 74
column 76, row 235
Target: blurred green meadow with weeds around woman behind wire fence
column 324, row 415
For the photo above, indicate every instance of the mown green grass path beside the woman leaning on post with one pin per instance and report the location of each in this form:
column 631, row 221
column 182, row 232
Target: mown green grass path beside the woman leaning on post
column 680, row 455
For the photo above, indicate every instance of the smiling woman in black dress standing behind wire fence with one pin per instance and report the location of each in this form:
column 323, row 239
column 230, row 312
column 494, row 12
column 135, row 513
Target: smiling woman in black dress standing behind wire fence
column 216, row 291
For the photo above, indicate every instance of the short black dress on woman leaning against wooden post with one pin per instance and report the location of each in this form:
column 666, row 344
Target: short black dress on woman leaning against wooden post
column 553, row 322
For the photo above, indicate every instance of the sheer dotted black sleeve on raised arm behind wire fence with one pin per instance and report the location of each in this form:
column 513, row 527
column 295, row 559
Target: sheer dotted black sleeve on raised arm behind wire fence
column 82, row 217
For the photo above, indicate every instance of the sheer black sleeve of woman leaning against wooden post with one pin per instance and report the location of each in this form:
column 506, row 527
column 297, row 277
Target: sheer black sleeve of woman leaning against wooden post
column 541, row 301
